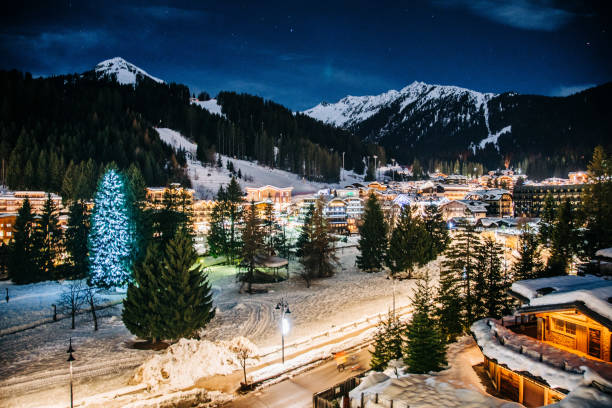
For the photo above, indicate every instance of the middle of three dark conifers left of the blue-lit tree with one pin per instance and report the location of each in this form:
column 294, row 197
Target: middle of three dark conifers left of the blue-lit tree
column 48, row 237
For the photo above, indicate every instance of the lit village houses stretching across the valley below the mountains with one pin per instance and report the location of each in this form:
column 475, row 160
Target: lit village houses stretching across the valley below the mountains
column 499, row 199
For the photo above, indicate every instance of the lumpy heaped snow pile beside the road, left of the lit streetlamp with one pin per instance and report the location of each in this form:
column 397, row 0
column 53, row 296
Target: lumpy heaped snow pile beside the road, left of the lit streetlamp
column 188, row 360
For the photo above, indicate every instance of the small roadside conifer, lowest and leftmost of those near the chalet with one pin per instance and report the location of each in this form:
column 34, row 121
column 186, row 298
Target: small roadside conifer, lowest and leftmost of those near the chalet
column 388, row 342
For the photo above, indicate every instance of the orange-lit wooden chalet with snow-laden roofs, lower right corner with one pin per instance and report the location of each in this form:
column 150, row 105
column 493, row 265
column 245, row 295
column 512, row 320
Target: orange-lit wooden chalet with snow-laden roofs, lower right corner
column 557, row 344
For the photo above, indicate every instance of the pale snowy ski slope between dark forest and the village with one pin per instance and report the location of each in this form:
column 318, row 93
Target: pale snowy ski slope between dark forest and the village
column 206, row 180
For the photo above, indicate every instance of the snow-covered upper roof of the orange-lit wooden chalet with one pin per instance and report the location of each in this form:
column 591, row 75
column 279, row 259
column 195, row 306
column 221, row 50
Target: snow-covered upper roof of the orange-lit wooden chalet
column 594, row 292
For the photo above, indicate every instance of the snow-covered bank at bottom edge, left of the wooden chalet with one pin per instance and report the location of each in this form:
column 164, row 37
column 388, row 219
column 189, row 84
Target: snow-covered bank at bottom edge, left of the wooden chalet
column 418, row 390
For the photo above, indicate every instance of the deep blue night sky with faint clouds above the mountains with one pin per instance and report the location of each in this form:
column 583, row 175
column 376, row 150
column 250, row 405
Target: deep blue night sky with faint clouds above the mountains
column 300, row 53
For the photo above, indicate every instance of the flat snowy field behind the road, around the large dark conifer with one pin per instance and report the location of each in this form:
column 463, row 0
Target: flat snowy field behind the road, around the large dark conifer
column 34, row 365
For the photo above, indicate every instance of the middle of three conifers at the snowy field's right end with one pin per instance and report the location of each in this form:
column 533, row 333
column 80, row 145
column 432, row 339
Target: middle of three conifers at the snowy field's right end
column 408, row 244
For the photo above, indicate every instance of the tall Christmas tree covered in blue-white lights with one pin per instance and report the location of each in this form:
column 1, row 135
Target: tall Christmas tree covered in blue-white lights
column 112, row 234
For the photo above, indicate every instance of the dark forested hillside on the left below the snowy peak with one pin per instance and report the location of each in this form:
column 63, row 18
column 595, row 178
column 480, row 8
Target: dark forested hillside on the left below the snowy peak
column 70, row 126
